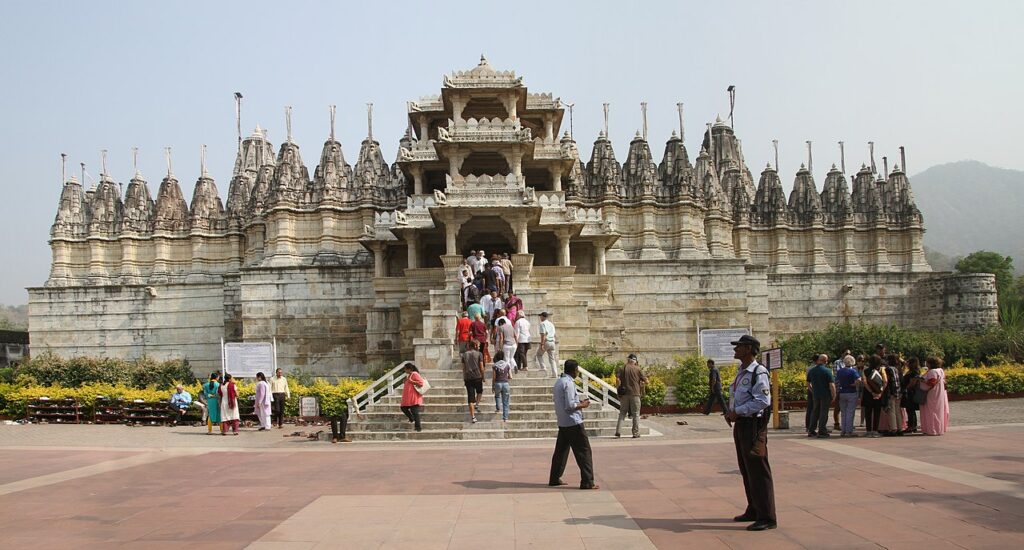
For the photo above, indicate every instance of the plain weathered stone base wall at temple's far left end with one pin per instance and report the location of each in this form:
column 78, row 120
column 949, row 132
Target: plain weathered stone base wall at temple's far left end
column 179, row 322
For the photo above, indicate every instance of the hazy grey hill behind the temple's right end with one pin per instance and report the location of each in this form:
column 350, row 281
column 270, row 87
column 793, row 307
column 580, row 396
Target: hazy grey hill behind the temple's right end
column 970, row 206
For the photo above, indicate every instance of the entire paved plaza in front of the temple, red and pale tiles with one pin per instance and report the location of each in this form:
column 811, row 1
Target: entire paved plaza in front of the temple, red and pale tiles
column 109, row 487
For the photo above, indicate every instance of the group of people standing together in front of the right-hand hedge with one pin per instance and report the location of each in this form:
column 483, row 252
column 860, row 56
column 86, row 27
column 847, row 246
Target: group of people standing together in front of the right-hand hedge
column 895, row 396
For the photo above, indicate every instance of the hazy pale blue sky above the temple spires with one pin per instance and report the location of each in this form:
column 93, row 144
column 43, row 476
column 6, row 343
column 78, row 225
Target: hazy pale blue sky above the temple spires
column 944, row 79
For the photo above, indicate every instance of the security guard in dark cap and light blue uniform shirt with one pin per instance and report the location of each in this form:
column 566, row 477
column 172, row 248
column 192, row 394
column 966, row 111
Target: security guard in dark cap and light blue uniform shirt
column 750, row 398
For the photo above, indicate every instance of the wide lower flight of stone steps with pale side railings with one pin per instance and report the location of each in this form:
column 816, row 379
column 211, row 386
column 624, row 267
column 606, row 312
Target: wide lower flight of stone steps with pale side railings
column 446, row 416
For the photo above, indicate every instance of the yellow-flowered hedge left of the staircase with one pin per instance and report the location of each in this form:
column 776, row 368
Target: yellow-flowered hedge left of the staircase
column 333, row 398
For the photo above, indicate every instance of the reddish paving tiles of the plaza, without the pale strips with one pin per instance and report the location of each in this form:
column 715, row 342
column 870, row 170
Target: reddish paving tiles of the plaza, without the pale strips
column 680, row 495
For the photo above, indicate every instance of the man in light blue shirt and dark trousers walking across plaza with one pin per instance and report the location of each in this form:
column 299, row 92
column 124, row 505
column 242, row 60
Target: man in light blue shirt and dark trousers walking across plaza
column 572, row 435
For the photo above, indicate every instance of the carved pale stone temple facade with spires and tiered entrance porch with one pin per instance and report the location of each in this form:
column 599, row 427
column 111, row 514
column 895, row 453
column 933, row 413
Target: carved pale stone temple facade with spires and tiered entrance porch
column 356, row 266
